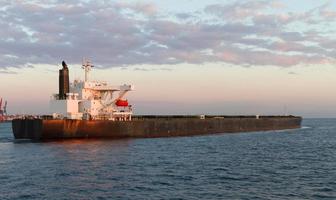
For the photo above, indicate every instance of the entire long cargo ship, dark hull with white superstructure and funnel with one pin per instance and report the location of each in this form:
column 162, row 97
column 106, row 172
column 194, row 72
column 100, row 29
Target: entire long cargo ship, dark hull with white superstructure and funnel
column 93, row 109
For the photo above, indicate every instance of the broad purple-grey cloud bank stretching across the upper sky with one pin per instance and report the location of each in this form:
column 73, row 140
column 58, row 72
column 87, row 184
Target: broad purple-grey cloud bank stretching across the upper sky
column 121, row 34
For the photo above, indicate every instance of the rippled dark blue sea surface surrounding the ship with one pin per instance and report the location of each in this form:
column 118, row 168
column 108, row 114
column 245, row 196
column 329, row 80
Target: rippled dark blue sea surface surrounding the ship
column 293, row 164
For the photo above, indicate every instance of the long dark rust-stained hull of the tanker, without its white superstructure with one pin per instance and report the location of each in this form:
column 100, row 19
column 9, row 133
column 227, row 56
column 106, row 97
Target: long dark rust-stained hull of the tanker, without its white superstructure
column 148, row 126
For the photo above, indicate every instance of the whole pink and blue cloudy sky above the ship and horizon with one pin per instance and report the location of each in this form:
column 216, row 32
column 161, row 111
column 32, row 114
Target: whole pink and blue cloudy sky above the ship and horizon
column 231, row 57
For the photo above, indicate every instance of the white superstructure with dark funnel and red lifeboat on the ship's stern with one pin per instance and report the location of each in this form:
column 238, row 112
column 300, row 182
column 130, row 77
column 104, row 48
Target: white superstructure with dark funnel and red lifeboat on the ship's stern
column 90, row 100
